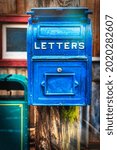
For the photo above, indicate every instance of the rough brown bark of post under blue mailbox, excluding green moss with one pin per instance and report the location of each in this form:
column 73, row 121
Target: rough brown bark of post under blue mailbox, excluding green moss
column 54, row 133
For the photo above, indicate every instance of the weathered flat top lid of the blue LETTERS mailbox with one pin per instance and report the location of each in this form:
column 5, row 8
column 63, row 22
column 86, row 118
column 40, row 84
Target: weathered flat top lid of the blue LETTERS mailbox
column 59, row 12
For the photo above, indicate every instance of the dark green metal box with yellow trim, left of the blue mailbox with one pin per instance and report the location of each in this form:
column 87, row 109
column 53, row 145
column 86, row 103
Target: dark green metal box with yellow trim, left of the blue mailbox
column 13, row 113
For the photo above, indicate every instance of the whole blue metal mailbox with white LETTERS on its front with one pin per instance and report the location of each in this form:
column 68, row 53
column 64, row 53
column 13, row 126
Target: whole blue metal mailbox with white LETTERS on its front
column 59, row 43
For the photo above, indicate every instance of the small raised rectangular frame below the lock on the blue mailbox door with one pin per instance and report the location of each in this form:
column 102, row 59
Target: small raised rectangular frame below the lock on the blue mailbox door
column 59, row 84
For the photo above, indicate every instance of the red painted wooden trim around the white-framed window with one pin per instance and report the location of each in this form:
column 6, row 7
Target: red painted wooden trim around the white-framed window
column 23, row 19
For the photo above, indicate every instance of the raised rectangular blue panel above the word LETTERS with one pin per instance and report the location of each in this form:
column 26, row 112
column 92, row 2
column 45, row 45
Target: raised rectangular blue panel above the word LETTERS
column 73, row 31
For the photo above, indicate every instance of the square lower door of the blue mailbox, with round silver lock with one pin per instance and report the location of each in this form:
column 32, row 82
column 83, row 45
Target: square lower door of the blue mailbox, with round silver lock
column 59, row 83
